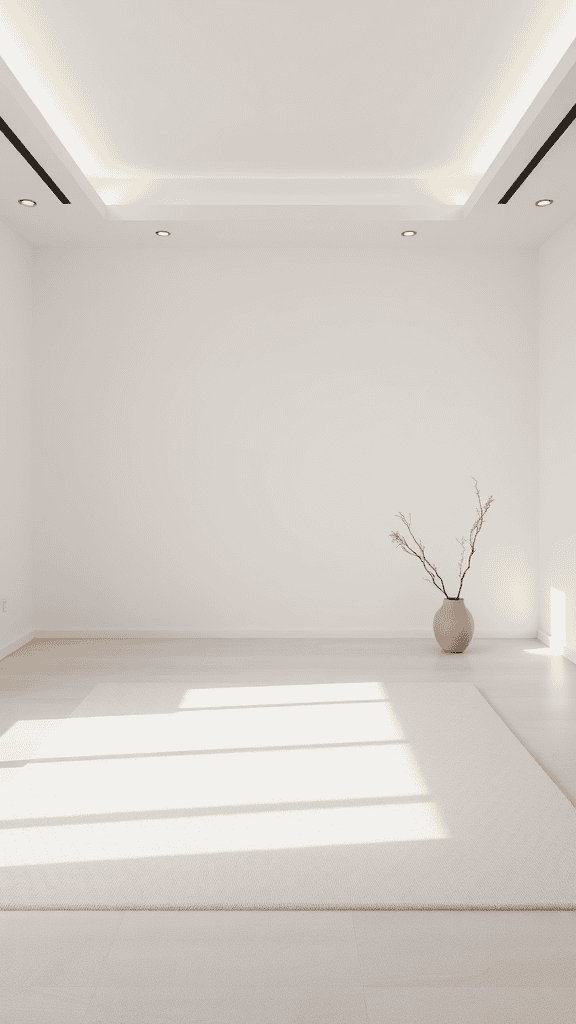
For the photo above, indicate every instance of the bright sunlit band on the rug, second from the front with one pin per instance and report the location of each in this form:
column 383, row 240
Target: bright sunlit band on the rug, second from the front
column 79, row 788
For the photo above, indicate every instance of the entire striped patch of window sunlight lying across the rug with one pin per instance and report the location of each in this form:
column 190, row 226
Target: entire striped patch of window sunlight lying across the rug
column 197, row 777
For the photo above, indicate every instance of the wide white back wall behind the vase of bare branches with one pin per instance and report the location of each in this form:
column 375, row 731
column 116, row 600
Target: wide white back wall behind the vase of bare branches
column 224, row 439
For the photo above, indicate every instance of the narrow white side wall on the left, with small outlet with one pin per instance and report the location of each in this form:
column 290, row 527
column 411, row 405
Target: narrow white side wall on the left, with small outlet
column 16, row 442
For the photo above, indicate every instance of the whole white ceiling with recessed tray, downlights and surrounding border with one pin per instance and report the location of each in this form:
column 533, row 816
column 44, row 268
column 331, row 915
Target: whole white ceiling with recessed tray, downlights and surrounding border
column 234, row 123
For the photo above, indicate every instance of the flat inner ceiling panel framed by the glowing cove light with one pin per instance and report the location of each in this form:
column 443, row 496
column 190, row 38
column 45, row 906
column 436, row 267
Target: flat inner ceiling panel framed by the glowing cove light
column 320, row 88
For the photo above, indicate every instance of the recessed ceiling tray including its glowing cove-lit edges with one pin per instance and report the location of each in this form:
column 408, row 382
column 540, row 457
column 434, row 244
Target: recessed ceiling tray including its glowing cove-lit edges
column 410, row 98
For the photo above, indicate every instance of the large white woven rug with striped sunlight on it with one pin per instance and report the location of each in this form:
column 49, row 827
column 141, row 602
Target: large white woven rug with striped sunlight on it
column 207, row 793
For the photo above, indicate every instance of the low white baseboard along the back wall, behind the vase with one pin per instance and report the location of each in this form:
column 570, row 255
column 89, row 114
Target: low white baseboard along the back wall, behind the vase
column 107, row 634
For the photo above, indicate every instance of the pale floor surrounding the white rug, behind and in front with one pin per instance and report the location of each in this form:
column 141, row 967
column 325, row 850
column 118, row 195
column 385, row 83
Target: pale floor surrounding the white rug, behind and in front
column 295, row 967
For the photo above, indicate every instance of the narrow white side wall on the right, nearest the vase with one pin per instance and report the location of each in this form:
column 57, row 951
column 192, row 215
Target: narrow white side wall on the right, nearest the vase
column 558, row 432
